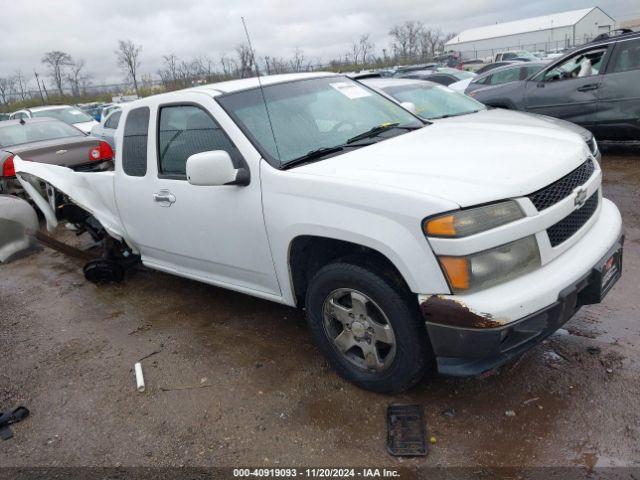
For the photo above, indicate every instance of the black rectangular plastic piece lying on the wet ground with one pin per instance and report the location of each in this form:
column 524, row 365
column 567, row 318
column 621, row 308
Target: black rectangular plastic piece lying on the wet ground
column 406, row 434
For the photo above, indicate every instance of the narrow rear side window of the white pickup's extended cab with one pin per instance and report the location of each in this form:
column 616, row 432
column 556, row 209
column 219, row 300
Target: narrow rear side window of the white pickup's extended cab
column 134, row 143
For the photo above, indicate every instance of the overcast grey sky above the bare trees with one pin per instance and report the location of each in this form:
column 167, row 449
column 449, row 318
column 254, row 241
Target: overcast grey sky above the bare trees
column 89, row 29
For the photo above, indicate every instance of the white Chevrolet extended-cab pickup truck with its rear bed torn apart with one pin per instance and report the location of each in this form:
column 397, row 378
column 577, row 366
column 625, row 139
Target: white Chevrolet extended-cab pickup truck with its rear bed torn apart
column 413, row 247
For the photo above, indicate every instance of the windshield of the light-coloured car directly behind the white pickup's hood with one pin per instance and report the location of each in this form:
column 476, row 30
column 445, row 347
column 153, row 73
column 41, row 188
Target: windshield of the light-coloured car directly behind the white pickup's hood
column 434, row 101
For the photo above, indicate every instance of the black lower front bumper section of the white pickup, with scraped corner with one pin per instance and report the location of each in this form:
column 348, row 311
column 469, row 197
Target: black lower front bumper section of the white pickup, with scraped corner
column 465, row 351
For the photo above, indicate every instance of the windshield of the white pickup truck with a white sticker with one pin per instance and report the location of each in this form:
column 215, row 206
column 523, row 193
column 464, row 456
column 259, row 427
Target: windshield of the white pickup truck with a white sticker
column 308, row 115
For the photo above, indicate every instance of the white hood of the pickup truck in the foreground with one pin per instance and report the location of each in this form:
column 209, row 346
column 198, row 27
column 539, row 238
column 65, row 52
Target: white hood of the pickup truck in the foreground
column 468, row 160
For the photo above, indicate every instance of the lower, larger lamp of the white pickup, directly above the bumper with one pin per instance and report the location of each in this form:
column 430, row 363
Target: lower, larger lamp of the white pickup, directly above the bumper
column 490, row 267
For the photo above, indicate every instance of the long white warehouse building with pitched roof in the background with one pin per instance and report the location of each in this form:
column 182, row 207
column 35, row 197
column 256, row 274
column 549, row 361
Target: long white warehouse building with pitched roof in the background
column 549, row 32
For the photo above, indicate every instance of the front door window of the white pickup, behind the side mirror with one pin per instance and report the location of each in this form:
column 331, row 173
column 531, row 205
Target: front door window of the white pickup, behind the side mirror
column 185, row 130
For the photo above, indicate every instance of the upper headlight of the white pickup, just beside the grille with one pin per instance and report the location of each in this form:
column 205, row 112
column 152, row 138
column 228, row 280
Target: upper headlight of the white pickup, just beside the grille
column 467, row 222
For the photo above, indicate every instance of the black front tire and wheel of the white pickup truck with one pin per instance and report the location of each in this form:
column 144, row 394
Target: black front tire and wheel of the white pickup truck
column 368, row 330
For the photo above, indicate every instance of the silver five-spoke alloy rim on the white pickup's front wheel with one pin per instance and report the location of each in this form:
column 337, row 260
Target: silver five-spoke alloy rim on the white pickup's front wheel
column 359, row 329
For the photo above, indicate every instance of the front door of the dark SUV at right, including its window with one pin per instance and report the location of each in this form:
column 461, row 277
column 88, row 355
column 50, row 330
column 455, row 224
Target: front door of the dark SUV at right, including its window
column 569, row 88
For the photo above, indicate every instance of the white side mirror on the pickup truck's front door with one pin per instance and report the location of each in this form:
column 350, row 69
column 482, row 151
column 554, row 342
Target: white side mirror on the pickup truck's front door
column 214, row 168
